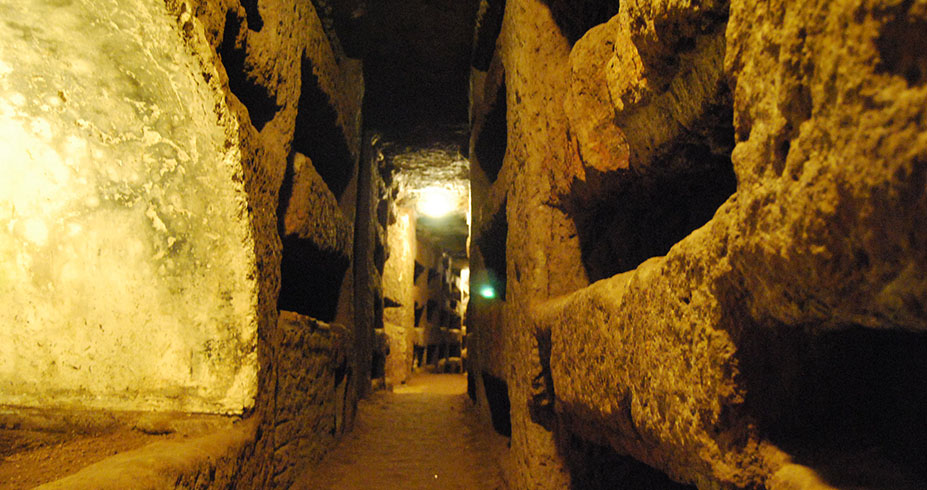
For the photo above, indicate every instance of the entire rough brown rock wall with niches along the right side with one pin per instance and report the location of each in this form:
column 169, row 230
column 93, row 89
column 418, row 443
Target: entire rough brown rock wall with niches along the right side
column 714, row 253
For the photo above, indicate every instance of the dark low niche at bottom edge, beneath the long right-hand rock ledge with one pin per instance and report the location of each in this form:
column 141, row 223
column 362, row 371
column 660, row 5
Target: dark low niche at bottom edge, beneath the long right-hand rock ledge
column 595, row 467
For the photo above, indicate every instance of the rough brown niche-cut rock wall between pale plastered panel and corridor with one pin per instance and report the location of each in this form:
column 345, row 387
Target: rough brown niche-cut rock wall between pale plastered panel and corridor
column 299, row 101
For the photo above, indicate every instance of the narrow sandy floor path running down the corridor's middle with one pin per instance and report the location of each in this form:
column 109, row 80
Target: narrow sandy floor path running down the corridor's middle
column 424, row 435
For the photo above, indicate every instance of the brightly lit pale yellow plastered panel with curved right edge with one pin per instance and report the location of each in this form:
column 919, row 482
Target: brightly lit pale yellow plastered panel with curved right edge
column 126, row 259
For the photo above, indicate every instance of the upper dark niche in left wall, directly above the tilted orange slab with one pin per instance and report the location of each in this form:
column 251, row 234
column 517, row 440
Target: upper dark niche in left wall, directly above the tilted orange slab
column 318, row 135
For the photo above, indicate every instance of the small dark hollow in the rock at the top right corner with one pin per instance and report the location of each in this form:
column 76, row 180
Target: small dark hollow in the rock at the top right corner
column 902, row 45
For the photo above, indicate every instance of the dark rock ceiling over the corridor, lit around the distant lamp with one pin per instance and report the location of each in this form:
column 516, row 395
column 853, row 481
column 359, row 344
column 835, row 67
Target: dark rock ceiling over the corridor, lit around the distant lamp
column 416, row 72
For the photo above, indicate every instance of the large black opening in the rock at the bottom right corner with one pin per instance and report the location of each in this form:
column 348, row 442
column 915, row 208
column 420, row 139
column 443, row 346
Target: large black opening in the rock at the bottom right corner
column 849, row 398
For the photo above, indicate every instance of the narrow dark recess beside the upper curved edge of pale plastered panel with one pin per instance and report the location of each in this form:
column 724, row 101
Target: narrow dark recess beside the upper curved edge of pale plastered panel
column 262, row 106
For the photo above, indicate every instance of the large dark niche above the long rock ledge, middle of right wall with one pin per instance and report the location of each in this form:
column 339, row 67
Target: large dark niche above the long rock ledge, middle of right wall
column 625, row 217
